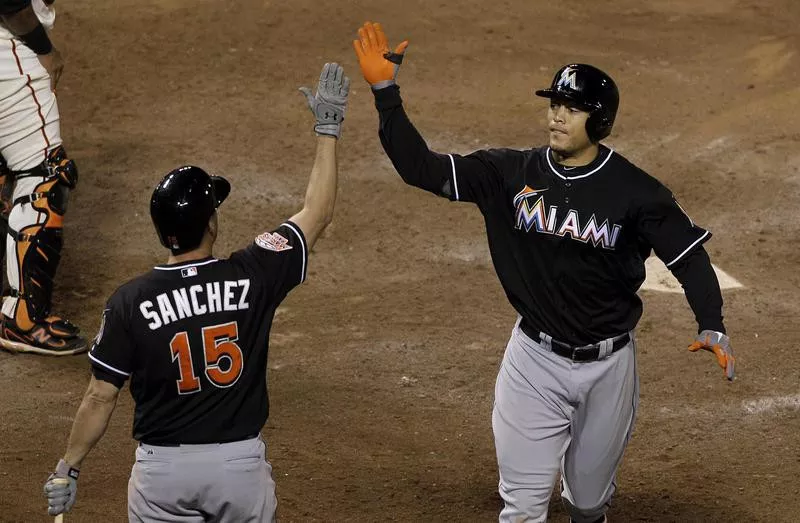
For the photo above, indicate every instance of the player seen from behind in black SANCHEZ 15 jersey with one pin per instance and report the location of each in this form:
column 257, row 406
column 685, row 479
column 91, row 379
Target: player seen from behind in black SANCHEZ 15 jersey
column 192, row 336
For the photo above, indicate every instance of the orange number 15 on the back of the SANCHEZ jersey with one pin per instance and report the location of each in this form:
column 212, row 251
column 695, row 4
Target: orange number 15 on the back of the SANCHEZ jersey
column 219, row 345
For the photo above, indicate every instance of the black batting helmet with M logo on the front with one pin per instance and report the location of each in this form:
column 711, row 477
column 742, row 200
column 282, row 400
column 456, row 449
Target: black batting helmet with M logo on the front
column 593, row 90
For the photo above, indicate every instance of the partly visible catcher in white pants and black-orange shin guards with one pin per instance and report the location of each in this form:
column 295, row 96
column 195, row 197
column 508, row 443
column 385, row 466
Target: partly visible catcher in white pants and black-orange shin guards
column 36, row 177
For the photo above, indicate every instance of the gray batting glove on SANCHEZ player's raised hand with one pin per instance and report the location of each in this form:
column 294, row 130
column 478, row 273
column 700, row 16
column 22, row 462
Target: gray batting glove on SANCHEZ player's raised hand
column 330, row 102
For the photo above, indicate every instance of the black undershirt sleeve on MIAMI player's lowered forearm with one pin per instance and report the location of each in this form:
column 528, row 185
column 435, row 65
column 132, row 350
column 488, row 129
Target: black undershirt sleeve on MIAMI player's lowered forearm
column 702, row 290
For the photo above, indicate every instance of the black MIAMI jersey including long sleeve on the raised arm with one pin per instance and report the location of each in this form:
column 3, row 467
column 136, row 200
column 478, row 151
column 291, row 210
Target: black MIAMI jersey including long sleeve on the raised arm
column 568, row 244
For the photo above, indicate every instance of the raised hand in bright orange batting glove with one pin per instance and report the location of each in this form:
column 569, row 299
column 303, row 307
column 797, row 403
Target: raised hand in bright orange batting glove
column 378, row 64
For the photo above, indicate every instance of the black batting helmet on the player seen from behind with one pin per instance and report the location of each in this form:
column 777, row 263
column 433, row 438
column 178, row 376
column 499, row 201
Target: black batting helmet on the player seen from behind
column 182, row 204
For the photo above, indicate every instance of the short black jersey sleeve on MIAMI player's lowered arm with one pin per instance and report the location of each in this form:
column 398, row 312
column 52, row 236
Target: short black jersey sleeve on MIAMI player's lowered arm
column 665, row 226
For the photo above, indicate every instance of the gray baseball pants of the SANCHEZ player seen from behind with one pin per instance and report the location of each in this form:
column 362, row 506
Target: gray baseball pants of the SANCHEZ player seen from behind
column 222, row 482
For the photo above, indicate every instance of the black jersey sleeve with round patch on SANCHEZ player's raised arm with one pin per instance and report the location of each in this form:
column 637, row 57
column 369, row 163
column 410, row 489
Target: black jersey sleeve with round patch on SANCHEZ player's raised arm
column 278, row 259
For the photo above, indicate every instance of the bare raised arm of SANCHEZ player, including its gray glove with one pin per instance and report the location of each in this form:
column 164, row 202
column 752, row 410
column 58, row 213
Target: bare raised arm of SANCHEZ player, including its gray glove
column 328, row 105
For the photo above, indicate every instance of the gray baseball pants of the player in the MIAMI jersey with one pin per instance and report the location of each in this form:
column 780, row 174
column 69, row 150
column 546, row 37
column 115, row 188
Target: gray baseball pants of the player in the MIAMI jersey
column 554, row 415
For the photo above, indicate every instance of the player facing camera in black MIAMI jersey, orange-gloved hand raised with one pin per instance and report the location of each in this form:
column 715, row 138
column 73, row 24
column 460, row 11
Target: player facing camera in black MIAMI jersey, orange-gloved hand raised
column 570, row 226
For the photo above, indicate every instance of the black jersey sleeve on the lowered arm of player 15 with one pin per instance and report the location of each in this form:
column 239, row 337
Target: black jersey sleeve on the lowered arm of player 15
column 112, row 351
